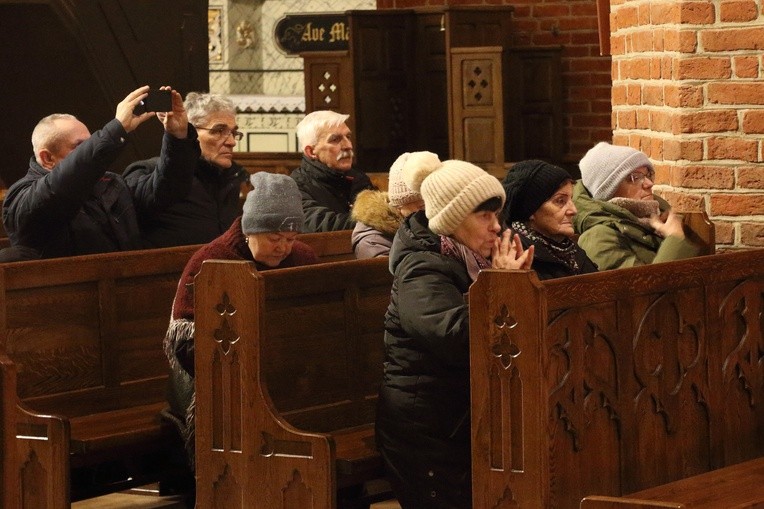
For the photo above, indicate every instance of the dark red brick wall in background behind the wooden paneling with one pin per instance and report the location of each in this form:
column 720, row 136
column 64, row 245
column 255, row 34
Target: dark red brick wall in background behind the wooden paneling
column 586, row 74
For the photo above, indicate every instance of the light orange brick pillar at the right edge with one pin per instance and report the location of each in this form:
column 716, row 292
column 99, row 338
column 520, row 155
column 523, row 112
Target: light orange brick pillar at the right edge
column 688, row 90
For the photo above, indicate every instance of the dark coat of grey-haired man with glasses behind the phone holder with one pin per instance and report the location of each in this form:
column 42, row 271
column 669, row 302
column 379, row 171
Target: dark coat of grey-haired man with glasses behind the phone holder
column 210, row 204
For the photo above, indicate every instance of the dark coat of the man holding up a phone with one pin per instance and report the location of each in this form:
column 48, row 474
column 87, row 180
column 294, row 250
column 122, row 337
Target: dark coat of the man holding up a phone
column 79, row 208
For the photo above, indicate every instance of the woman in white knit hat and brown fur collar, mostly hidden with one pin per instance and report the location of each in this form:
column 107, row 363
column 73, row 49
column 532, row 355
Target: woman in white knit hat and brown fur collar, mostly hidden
column 378, row 214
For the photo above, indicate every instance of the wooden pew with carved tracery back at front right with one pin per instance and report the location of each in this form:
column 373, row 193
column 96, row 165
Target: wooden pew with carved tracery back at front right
column 614, row 382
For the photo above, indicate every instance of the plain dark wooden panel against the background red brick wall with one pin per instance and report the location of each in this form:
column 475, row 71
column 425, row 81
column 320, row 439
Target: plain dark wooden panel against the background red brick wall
column 533, row 104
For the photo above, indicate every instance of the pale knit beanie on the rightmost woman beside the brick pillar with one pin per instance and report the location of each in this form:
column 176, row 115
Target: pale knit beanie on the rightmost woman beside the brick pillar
column 605, row 166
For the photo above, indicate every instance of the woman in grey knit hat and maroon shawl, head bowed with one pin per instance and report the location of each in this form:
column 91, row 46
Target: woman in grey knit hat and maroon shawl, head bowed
column 265, row 234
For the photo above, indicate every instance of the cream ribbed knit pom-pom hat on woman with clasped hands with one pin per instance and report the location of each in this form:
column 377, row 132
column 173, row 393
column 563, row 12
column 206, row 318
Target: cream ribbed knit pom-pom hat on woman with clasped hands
column 451, row 190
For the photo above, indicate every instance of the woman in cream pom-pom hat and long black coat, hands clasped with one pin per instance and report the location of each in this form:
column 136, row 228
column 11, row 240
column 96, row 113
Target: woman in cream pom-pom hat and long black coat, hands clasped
column 423, row 421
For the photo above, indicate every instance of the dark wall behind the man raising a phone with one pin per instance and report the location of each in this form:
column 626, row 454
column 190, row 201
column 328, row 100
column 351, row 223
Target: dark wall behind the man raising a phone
column 83, row 57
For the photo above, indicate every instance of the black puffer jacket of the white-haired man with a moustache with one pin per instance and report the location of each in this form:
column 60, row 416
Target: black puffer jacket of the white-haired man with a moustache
column 328, row 195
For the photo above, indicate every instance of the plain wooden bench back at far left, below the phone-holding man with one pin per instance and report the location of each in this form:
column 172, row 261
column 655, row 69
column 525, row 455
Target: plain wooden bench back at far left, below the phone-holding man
column 86, row 332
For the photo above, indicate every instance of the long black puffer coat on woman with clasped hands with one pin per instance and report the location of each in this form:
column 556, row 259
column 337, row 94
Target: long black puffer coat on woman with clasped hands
column 423, row 420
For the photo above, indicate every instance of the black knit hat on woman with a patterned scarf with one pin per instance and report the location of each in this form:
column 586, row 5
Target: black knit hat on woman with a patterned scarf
column 528, row 185
